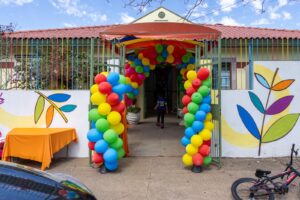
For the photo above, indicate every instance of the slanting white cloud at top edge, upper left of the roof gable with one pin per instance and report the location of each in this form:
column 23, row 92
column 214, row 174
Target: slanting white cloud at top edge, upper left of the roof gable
column 75, row 8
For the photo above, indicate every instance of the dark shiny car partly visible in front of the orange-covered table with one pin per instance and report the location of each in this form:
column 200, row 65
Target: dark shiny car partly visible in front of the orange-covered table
column 22, row 182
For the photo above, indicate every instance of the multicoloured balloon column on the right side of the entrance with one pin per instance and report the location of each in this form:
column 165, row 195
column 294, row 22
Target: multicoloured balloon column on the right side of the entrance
column 197, row 118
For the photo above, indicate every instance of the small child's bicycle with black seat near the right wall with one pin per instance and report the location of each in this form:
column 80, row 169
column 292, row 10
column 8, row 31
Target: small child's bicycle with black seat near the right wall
column 265, row 186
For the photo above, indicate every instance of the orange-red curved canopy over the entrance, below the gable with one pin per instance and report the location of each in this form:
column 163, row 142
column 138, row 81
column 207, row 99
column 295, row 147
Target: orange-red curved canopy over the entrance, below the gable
column 144, row 34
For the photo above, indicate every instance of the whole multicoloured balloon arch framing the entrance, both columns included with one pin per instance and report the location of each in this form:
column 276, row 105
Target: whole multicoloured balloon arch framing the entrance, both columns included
column 113, row 92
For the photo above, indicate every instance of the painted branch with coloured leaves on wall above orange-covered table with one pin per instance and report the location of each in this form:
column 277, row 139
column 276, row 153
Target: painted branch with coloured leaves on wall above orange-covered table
column 51, row 99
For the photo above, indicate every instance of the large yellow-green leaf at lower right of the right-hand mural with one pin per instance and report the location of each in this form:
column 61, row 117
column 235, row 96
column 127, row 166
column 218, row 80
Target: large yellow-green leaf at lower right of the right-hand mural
column 280, row 128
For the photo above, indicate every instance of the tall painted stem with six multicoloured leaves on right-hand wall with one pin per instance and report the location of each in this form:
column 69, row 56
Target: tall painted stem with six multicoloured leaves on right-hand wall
column 282, row 126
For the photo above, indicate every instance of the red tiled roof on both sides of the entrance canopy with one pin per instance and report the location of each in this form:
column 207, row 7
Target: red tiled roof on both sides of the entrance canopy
column 227, row 32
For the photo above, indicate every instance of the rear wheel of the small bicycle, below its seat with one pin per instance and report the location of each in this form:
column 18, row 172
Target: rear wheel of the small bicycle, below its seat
column 240, row 190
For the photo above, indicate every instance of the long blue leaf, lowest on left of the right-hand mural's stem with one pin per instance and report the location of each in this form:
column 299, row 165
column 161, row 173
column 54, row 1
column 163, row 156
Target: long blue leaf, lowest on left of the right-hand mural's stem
column 248, row 122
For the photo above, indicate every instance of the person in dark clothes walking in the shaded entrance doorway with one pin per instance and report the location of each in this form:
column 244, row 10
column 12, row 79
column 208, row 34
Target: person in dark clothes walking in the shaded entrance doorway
column 161, row 108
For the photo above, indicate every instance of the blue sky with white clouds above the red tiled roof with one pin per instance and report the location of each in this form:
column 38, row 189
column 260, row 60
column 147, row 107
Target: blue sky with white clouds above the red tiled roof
column 44, row 14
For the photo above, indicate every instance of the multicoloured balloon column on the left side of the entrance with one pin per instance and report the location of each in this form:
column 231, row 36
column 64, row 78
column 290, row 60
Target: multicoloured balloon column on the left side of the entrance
column 106, row 97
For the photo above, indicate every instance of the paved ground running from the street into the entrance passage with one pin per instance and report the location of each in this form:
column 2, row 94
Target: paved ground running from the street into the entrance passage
column 154, row 170
